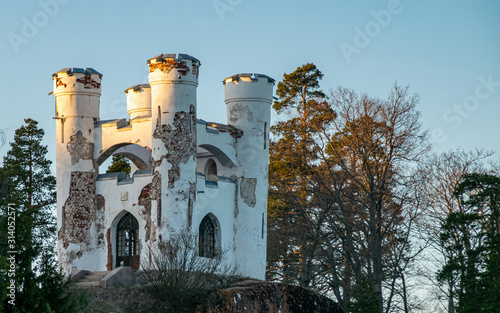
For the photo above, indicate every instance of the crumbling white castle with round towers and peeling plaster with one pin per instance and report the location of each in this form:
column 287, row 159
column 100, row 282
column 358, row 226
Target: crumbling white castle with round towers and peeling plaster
column 187, row 174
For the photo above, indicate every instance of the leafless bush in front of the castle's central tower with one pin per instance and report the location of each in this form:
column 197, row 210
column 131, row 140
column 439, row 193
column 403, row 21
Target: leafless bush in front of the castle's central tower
column 180, row 279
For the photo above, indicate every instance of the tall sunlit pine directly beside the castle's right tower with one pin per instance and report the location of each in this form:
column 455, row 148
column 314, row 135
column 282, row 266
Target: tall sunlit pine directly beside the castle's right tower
column 292, row 247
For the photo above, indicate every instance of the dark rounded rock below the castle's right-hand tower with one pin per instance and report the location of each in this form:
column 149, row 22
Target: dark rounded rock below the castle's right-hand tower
column 265, row 297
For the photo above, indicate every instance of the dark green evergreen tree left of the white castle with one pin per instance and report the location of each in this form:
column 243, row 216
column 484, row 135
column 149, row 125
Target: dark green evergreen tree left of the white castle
column 28, row 190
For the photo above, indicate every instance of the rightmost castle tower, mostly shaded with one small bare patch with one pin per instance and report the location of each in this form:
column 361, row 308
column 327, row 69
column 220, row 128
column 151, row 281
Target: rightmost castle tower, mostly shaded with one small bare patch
column 248, row 98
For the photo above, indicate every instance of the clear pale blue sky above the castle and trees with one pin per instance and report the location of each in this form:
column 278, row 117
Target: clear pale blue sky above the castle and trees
column 447, row 51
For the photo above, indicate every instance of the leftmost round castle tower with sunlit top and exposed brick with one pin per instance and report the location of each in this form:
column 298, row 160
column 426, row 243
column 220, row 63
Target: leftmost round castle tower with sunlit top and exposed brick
column 77, row 93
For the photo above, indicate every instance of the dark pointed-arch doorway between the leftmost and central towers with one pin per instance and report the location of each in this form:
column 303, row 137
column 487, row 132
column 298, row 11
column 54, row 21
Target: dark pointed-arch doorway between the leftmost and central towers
column 127, row 242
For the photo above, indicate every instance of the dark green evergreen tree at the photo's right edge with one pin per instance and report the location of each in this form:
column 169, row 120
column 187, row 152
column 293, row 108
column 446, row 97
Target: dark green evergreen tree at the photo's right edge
column 471, row 236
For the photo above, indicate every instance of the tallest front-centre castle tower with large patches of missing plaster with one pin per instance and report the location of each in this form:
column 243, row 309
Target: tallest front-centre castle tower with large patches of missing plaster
column 173, row 80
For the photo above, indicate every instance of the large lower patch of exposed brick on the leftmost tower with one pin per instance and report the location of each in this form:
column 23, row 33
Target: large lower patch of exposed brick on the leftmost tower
column 79, row 209
